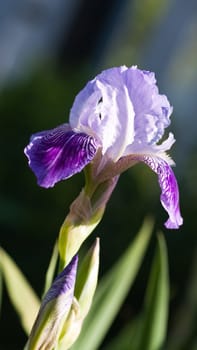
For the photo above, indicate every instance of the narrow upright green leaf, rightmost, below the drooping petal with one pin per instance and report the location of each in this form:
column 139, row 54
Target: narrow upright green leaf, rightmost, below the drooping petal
column 155, row 318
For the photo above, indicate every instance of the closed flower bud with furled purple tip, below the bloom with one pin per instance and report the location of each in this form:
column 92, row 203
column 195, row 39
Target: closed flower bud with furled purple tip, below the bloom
column 54, row 310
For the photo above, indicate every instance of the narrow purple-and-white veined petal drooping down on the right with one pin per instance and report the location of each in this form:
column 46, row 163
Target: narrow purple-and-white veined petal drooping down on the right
column 169, row 189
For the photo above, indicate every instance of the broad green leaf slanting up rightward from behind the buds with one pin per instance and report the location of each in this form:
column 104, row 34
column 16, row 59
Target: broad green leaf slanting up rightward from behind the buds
column 112, row 291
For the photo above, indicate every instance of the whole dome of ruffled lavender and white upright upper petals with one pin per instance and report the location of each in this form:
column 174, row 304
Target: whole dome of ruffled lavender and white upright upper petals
column 123, row 108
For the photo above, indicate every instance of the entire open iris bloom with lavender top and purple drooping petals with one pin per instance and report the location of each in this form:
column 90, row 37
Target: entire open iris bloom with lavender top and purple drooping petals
column 121, row 116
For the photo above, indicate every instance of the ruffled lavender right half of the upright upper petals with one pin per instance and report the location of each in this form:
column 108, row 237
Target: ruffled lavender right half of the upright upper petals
column 152, row 110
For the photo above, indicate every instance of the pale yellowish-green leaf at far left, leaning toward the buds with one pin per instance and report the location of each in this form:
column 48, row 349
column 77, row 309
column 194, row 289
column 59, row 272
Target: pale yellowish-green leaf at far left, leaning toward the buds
column 19, row 290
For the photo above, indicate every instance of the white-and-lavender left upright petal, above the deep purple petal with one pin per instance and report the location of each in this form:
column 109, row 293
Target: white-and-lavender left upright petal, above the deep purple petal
column 104, row 108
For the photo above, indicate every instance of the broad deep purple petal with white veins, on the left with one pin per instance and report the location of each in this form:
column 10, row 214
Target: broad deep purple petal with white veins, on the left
column 59, row 153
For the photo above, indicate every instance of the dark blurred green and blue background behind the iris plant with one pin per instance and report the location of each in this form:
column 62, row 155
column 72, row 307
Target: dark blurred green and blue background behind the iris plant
column 48, row 51
